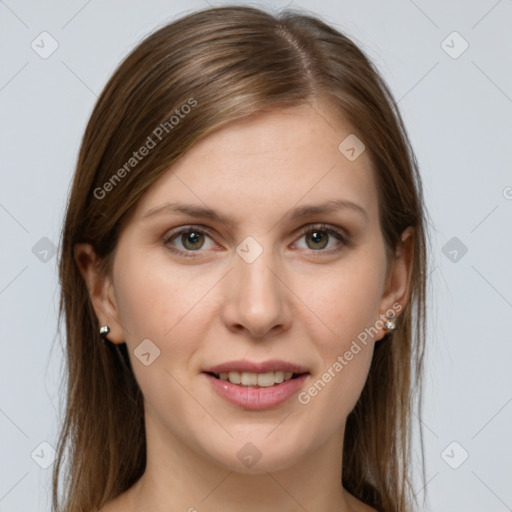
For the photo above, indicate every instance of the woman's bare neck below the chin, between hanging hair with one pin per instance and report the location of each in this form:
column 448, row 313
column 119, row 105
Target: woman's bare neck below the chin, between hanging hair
column 182, row 479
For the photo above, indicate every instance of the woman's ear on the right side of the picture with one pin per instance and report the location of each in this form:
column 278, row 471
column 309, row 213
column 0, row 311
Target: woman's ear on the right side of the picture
column 397, row 288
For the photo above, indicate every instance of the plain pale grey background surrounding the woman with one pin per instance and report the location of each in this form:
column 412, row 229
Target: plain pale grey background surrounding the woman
column 458, row 113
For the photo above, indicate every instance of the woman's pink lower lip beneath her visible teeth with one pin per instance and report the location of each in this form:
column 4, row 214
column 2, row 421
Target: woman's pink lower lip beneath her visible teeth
column 257, row 399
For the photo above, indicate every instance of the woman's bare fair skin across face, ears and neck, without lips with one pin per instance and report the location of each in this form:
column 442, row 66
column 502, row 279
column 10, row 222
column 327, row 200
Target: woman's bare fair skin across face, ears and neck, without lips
column 302, row 301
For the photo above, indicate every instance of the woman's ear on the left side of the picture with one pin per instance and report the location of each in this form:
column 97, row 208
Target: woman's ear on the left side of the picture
column 101, row 290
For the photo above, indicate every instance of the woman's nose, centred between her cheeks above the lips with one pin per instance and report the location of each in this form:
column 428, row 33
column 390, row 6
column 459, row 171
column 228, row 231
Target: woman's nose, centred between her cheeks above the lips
column 257, row 299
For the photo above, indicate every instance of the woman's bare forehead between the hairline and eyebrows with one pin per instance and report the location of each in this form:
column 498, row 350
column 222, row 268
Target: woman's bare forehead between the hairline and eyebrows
column 267, row 163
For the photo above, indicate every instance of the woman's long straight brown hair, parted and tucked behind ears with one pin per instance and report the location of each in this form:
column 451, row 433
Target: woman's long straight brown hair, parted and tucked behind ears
column 226, row 63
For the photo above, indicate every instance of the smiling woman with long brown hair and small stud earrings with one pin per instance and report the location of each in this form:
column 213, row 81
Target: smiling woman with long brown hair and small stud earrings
column 242, row 255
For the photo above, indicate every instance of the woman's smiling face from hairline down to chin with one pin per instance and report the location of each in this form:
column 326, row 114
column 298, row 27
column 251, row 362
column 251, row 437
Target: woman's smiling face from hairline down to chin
column 263, row 281
